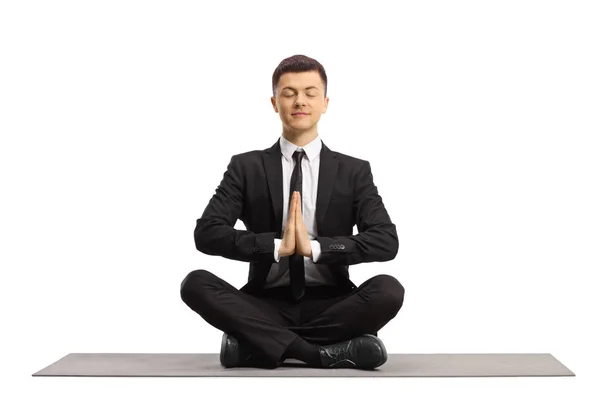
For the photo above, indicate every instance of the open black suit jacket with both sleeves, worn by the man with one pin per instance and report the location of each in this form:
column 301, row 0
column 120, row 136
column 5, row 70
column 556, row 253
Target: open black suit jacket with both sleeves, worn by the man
column 252, row 191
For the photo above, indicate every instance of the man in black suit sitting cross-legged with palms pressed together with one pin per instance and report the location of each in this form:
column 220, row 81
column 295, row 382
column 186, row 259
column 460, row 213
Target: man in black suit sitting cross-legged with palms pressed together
column 299, row 301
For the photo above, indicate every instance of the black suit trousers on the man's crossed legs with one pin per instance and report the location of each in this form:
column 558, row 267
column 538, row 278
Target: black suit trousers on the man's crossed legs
column 271, row 320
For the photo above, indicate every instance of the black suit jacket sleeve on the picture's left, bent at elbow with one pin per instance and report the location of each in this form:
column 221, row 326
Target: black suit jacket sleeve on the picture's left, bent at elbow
column 214, row 234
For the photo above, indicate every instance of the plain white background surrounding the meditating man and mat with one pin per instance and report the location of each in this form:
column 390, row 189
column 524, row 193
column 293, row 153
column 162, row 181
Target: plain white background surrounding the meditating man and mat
column 479, row 118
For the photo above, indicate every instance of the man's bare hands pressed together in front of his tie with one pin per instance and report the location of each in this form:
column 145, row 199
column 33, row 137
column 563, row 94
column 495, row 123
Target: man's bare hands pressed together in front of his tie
column 295, row 237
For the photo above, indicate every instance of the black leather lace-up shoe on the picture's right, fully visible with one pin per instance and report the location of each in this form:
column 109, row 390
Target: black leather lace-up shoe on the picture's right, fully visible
column 363, row 352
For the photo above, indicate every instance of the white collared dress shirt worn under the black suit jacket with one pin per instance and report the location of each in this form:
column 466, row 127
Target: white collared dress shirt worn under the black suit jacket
column 315, row 274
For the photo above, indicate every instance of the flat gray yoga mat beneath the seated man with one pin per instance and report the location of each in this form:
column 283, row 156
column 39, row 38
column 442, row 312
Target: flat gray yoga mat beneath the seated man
column 397, row 365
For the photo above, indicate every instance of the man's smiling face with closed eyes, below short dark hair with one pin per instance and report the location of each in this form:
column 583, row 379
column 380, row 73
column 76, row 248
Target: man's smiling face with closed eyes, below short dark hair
column 300, row 92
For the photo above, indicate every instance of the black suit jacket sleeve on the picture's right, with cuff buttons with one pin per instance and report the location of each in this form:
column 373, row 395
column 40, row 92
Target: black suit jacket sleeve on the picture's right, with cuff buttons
column 376, row 240
